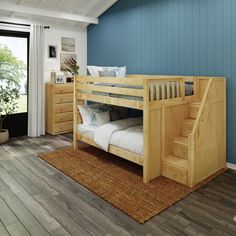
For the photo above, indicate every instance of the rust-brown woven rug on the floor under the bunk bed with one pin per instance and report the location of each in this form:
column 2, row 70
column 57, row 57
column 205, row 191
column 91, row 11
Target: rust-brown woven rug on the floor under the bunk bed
column 117, row 181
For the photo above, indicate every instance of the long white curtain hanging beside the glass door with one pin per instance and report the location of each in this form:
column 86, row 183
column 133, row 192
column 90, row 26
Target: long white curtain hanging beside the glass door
column 36, row 117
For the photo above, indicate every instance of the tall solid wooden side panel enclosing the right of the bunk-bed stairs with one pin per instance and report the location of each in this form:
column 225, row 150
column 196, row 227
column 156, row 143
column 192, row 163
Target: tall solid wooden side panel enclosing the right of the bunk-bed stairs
column 209, row 133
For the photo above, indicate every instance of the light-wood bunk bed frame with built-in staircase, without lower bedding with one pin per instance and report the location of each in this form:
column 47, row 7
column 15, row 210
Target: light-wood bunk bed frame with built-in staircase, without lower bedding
column 184, row 136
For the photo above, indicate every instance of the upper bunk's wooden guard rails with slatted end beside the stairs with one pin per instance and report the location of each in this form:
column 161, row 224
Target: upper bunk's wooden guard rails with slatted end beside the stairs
column 134, row 91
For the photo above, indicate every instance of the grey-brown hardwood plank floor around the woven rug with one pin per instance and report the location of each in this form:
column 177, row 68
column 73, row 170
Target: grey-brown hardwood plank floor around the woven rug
column 37, row 199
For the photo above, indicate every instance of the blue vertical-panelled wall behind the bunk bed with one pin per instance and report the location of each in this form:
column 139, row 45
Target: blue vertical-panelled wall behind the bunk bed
column 186, row 37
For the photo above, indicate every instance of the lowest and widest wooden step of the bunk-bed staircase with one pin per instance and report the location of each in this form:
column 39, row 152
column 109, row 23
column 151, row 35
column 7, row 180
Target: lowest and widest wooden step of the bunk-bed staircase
column 175, row 168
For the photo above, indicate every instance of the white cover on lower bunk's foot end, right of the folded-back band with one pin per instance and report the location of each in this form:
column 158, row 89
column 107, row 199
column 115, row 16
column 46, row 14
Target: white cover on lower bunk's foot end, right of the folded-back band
column 130, row 139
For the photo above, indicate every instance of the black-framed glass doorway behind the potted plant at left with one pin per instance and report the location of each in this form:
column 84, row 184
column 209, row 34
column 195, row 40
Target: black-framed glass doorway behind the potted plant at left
column 14, row 58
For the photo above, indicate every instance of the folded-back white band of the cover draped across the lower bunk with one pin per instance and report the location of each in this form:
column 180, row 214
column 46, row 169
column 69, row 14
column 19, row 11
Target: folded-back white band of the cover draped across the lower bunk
column 103, row 133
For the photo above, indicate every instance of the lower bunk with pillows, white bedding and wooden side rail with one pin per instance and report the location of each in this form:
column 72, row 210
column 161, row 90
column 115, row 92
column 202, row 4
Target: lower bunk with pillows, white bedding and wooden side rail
column 122, row 137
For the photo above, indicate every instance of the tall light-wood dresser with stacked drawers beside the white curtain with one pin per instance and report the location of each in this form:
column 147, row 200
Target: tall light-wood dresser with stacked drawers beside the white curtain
column 59, row 108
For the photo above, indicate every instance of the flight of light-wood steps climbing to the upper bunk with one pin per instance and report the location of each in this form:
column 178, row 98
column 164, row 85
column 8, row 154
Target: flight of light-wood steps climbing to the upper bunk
column 175, row 166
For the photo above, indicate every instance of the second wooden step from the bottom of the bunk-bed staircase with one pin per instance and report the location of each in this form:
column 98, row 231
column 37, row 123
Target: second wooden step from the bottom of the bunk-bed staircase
column 180, row 147
